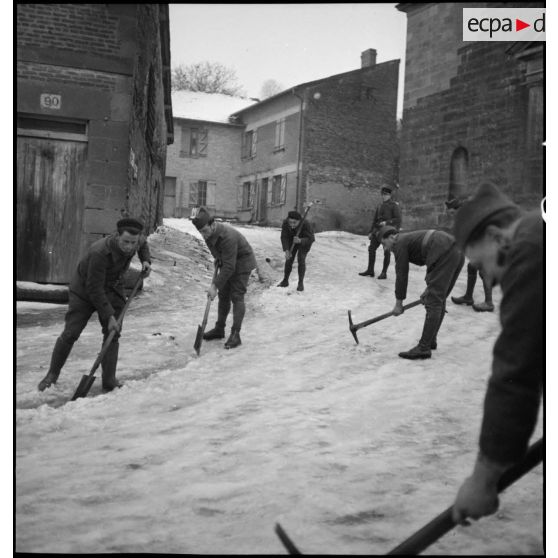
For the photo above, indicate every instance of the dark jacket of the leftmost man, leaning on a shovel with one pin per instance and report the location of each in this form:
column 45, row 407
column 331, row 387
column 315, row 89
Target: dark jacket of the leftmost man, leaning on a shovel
column 101, row 270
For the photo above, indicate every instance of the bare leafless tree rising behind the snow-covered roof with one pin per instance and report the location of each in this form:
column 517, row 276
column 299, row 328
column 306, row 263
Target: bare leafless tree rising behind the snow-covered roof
column 209, row 77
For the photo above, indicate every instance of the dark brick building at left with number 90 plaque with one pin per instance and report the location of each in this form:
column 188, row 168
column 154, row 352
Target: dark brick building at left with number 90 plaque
column 94, row 119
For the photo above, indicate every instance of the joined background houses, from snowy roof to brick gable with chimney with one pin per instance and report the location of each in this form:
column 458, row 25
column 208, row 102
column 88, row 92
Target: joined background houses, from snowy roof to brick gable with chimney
column 331, row 141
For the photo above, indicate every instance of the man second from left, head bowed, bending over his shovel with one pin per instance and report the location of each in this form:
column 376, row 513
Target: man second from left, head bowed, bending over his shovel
column 236, row 261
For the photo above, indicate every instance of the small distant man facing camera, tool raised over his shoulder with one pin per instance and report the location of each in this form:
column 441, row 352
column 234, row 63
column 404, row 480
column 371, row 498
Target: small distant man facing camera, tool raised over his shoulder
column 301, row 242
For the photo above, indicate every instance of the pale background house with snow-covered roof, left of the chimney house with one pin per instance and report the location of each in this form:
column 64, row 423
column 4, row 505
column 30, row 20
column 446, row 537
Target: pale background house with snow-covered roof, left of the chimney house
column 204, row 163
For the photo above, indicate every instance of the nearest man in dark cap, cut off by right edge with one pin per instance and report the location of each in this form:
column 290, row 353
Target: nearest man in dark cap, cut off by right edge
column 508, row 245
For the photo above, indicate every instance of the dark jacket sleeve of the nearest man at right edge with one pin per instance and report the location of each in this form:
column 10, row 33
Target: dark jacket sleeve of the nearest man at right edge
column 514, row 390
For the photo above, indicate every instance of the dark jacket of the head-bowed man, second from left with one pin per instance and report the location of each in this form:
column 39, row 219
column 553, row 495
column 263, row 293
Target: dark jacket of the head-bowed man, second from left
column 232, row 250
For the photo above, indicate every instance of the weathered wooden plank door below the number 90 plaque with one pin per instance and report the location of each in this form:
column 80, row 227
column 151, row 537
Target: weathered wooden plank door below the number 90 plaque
column 50, row 205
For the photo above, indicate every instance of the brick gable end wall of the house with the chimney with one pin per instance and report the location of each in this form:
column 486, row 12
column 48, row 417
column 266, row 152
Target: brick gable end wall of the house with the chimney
column 349, row 146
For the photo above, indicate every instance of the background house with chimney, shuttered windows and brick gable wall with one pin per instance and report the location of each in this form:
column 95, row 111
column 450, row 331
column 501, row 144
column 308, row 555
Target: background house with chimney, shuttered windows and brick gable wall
column 331, row 142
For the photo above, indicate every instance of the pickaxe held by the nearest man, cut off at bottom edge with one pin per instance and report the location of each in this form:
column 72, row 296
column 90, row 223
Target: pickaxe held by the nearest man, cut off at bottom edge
column 443, row 523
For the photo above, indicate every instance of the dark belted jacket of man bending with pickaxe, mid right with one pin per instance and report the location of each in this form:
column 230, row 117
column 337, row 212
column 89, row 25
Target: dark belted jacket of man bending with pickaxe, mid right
column 410, row 248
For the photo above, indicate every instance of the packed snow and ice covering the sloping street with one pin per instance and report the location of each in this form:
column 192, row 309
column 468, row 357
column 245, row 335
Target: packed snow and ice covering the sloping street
column 350, row 448
